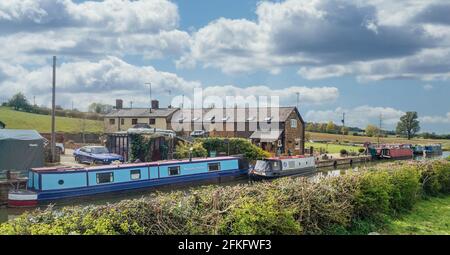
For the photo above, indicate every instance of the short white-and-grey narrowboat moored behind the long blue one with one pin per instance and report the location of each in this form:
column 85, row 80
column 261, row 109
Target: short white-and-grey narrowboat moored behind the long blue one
column 282, row 166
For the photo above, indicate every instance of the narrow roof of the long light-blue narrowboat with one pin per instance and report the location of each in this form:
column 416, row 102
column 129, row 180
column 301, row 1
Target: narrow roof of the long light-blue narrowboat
column 129, row 165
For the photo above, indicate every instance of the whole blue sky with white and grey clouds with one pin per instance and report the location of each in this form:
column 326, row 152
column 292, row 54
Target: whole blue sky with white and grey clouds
column 364, row 58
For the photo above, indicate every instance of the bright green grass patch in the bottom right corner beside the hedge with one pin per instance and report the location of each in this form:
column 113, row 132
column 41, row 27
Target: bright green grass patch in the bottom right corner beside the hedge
column 427, row 217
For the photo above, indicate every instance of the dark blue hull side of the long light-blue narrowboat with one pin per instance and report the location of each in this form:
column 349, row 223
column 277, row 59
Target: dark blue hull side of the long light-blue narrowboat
column 137, row 185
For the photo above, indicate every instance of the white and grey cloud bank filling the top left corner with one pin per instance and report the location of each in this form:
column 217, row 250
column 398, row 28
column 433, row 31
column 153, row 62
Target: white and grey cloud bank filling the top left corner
column 90, row 29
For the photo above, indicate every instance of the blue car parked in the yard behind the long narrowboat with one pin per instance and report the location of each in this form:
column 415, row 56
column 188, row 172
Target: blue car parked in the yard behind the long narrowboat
column 95, row 155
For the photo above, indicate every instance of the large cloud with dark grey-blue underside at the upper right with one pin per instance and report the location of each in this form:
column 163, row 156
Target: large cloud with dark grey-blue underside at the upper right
column 371, row 40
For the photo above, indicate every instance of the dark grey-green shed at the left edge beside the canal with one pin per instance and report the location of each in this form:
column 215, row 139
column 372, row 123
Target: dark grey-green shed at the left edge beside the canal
column 20, row 150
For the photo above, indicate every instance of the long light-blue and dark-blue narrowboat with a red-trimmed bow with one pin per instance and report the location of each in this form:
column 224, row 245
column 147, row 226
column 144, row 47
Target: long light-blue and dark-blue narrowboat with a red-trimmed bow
column 47, row 184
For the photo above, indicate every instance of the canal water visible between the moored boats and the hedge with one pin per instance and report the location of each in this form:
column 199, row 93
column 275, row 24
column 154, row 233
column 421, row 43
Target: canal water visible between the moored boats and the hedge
column 10, row 213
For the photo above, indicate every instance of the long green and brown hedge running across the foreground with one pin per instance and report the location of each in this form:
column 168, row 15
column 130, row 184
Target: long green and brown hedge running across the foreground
column 357, row 202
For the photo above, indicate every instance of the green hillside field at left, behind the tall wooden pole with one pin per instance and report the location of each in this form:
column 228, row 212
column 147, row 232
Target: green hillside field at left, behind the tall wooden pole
column 42, row 123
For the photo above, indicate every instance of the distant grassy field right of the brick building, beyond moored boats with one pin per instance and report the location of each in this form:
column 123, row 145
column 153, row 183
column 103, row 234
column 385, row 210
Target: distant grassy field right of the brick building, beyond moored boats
column 363, row 139
